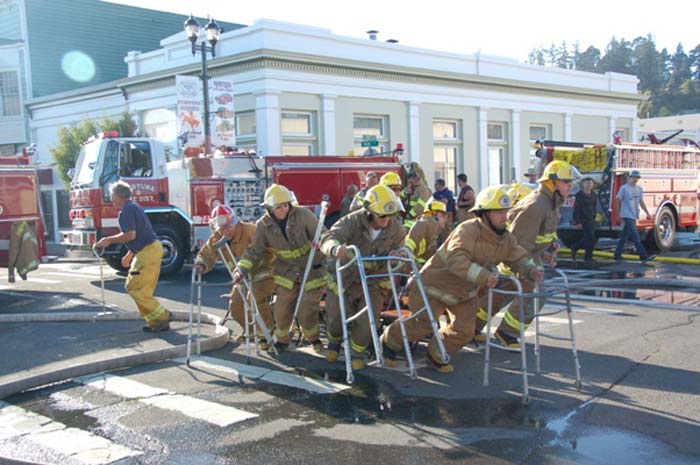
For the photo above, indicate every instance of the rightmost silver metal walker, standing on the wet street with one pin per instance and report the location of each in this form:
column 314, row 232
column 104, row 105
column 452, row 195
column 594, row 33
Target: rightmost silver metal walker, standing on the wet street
column 536, row 296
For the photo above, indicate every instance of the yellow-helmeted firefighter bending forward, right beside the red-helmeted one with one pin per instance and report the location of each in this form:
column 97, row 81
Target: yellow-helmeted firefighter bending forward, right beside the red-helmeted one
column 288, row 231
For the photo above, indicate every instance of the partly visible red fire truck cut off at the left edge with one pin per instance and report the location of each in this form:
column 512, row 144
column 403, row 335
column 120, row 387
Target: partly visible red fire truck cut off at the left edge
column 20, row 200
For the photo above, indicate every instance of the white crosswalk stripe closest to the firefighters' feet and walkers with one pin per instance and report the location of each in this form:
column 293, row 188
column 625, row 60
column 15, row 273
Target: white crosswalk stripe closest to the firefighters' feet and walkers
column 317, row 386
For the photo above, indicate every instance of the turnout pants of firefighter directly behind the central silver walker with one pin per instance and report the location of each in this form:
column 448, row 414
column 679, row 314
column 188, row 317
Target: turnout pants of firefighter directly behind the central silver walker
column 360, row 335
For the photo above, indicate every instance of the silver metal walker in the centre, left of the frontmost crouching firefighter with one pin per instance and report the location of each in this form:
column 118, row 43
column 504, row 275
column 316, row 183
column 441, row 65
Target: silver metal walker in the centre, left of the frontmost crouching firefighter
column 394, row 265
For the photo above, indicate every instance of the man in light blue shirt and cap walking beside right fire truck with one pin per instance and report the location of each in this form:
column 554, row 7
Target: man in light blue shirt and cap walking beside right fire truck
column 629, row 198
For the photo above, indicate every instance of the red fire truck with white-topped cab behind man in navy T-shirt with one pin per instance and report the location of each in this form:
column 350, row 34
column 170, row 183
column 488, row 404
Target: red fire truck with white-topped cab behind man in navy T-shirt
column 178, row 195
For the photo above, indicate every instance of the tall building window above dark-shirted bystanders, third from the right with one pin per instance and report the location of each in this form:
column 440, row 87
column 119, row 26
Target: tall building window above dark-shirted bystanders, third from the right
column 447, row 147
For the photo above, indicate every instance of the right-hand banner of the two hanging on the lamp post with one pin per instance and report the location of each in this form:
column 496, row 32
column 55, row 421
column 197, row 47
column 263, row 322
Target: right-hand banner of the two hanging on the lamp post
column 222, row 116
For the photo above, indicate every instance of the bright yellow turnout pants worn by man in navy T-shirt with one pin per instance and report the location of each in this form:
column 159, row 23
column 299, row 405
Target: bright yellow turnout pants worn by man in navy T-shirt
column 142, row 281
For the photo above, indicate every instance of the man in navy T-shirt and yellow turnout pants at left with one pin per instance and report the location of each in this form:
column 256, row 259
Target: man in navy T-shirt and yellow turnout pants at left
column 143, row 258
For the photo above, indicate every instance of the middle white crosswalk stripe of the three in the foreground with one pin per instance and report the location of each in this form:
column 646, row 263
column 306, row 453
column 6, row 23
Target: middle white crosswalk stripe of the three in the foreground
column 211, row 412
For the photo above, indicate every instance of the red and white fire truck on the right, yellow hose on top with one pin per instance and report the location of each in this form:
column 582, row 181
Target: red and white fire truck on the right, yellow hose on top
column 669, row 177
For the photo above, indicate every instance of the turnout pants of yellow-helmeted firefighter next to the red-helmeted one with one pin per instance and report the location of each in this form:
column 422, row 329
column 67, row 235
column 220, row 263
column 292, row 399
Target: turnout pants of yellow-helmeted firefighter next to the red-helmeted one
column 309, row 309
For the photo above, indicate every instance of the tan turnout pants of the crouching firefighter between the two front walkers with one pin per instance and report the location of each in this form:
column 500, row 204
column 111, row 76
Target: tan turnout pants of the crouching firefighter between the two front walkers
column 457, row 333
